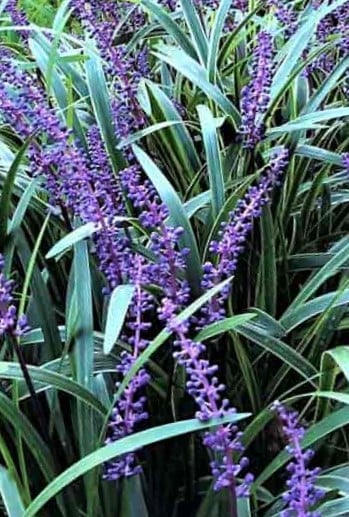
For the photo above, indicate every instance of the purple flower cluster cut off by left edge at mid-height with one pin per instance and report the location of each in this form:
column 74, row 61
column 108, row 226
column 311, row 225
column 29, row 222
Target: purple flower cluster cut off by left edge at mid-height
column 10, row 323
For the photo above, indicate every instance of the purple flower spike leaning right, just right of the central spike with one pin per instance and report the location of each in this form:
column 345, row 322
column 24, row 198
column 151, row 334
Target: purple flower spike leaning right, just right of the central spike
column 233, row 234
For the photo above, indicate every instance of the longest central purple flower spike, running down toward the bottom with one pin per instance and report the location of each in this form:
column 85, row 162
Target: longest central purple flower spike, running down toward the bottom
column 202, row 383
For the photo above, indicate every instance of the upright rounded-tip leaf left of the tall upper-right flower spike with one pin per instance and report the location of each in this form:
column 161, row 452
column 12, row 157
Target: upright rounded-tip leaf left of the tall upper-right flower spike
column 214, row 166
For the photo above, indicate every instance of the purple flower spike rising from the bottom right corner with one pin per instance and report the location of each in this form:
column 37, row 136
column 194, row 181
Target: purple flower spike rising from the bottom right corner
column 302, row 494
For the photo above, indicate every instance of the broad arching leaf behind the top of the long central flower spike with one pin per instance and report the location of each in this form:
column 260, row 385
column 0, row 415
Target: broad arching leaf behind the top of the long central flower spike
column 178, row 216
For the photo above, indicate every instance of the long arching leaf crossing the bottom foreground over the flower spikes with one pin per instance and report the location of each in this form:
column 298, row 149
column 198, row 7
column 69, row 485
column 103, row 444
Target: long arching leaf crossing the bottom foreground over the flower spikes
column 123, row 446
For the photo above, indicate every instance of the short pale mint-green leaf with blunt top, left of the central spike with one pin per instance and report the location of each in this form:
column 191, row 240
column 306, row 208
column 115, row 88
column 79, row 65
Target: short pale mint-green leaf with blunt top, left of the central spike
column 118, row 306
